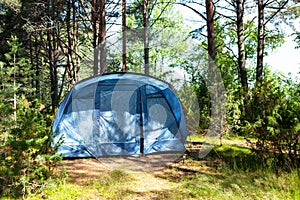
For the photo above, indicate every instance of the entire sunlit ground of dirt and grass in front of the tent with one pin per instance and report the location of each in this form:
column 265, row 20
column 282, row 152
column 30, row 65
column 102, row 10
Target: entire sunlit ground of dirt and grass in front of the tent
column 229, row 171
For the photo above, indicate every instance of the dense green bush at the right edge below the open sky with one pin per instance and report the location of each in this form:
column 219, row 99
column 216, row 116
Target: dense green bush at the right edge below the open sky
column 273, row 118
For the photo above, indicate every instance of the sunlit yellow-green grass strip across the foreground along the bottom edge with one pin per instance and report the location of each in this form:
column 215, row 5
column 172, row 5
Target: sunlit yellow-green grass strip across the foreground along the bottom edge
column 188, row 185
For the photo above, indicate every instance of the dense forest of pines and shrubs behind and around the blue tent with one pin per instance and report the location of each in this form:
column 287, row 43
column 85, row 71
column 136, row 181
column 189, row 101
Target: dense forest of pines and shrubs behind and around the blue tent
column 47, row 46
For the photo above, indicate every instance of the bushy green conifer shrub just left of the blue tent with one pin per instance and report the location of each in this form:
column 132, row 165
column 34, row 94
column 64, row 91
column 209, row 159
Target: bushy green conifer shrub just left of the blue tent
column 27, row 159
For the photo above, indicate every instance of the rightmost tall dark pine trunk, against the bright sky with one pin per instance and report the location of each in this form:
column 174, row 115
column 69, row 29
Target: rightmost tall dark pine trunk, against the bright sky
column 260, row 41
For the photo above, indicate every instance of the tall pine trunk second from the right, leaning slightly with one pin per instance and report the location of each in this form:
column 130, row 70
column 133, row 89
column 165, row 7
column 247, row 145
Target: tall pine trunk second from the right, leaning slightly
column 241, row 45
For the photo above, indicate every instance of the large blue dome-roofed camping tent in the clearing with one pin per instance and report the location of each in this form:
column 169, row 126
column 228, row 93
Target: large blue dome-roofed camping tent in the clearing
column 120, row 114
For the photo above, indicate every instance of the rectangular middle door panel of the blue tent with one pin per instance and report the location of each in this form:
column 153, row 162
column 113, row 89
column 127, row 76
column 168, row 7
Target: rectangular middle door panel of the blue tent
column 117, row 130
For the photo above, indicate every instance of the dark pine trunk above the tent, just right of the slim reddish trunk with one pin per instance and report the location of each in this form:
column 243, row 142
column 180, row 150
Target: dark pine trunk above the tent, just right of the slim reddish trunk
column 146, row 37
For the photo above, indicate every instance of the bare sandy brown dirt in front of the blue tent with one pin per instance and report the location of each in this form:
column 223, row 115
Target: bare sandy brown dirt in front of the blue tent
column 148, row 178
